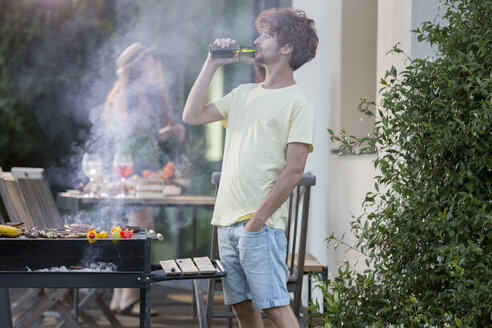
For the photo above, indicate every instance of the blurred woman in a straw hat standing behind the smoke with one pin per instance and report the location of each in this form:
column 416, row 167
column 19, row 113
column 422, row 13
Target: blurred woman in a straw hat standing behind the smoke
column 138, row 116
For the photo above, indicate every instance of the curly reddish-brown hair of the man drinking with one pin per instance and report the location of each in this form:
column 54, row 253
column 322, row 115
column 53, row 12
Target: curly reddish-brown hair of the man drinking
column 293, row 28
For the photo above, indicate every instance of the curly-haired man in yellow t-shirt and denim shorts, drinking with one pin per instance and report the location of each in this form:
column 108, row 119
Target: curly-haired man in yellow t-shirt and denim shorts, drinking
column 269, row 133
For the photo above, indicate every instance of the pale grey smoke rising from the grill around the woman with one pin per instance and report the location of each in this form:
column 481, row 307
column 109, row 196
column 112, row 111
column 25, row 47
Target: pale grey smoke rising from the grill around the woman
column 180, row 31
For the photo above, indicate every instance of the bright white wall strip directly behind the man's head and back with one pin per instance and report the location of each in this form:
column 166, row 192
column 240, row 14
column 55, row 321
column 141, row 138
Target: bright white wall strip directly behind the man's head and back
column 320, row 79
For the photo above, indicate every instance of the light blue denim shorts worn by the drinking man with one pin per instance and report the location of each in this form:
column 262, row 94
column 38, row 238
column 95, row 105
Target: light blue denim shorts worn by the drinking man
column 255, row 264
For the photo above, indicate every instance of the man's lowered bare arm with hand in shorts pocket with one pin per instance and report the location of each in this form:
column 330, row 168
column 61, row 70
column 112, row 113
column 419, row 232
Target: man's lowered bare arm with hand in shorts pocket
column 288, row 179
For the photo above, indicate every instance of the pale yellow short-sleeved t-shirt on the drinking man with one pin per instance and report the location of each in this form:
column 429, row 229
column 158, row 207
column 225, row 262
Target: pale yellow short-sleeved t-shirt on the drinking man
column 259, row 124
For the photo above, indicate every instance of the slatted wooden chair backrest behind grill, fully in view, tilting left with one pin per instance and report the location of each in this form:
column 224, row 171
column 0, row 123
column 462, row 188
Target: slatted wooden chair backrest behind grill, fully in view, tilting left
column 36, row 192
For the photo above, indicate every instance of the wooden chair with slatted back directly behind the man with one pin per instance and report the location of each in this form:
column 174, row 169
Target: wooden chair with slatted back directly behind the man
column 296, row 233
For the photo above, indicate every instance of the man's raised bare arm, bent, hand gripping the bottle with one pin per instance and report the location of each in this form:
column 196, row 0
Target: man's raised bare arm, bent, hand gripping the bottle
column 196, row 111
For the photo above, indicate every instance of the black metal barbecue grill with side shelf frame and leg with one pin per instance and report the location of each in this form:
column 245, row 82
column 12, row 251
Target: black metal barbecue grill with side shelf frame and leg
column 20, row 258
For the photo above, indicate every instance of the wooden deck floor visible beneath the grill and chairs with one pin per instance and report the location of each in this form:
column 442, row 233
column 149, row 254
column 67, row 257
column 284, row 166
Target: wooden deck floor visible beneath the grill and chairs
column 174, row 307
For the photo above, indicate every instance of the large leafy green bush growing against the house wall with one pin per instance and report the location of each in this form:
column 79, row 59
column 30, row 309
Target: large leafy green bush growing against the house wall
column 425, row 230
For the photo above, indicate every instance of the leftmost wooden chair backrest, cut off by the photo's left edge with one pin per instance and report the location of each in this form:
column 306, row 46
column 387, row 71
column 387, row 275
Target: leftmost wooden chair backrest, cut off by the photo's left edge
column 12, row 199
